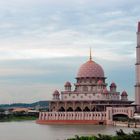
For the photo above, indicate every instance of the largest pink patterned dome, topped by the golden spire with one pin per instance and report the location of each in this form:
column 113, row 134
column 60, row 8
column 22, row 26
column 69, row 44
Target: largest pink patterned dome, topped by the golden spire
column 90, row 69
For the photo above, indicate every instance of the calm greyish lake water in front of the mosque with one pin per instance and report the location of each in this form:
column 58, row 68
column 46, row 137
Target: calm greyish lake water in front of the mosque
column 29, row 130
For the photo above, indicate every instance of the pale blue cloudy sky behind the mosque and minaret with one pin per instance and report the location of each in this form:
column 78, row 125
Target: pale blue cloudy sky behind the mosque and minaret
column 44, row 42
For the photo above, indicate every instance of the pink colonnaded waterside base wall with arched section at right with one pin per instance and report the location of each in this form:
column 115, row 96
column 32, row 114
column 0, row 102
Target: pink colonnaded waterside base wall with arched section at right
column 94, row 117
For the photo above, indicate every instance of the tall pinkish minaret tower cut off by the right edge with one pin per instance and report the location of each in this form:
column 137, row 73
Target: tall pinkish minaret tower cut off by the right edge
column 137, row 86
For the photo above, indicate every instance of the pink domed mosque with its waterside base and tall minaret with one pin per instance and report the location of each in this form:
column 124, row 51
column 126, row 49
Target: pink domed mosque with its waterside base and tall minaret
column 92, row 101
